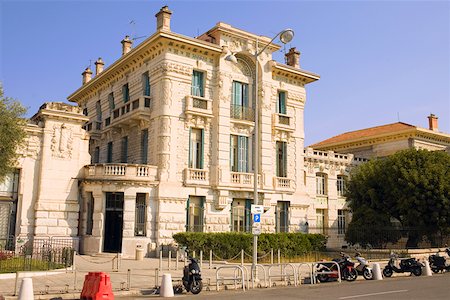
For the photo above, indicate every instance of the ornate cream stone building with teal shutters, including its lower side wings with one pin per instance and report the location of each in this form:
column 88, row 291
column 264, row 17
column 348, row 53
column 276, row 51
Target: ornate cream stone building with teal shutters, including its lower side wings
column 161, row 142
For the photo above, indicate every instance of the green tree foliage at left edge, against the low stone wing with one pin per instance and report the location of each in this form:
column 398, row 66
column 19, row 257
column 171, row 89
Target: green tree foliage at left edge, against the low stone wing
column 12, row 132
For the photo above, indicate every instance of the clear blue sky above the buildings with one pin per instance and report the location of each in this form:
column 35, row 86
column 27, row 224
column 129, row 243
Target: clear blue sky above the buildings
column 379, row 61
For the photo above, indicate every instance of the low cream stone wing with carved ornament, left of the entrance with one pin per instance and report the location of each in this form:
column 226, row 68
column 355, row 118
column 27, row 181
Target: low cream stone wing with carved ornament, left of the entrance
column 41, row 199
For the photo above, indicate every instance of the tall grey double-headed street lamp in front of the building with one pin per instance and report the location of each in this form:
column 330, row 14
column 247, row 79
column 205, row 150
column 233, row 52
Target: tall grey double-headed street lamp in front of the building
column 285, row 37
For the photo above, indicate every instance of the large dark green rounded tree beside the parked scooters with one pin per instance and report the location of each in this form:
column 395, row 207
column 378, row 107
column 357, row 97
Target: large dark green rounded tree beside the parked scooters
column 409, row 190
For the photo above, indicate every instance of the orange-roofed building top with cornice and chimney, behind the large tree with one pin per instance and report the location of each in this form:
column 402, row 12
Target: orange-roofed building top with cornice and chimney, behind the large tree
column 387, row 139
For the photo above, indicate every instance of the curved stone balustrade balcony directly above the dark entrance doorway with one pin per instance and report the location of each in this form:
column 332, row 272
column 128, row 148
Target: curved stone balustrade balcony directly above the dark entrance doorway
column 121, row 172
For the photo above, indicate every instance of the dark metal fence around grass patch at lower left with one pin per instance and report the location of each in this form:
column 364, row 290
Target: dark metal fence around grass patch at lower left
column 36, row 254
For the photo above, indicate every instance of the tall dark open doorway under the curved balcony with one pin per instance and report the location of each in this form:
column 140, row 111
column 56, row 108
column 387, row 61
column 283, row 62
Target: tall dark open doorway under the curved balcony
column 112, row 239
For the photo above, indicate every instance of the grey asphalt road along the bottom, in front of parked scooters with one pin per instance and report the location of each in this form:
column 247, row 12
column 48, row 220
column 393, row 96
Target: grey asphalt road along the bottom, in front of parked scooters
column 436, row 287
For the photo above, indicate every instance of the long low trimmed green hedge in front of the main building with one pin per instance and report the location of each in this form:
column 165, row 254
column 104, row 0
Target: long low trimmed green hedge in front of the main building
column 229, row 244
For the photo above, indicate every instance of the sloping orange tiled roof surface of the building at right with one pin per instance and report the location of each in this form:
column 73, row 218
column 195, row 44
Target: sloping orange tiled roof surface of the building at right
column 363, row 134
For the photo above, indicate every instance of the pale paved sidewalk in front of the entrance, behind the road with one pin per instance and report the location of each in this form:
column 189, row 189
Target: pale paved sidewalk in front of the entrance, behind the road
column 139, row 275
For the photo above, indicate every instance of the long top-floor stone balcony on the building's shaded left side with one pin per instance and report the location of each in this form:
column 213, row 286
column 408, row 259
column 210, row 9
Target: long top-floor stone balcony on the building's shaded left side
column 133, row 111
